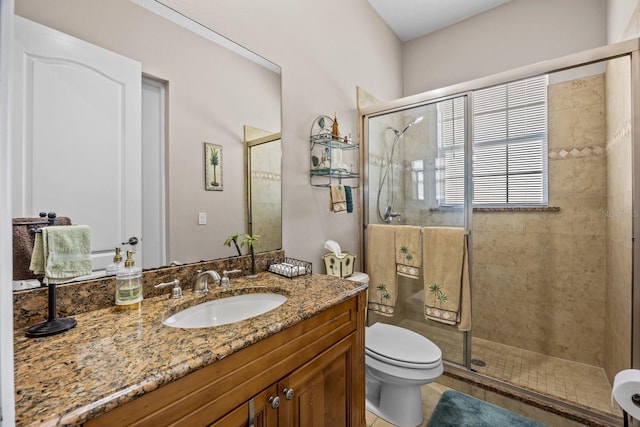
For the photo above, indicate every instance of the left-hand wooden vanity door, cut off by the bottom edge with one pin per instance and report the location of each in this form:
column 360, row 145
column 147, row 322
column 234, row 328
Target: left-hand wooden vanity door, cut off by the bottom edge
column 264, row 415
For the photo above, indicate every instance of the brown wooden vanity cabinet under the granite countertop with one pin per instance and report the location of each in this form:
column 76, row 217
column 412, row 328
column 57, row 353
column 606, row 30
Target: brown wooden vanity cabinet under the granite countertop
column 315, row 368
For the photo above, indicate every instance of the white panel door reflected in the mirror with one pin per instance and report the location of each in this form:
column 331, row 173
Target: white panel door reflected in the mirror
column 77, row 144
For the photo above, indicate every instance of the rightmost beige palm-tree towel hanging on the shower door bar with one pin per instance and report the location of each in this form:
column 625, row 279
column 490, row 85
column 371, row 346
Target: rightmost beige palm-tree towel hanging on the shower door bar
column 446, row 276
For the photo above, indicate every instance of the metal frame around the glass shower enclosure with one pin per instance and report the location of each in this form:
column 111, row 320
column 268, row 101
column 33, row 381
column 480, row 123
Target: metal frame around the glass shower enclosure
column 630, row 48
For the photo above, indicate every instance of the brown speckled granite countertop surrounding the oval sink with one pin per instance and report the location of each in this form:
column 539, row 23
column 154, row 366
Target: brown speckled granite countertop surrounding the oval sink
column 111, row 357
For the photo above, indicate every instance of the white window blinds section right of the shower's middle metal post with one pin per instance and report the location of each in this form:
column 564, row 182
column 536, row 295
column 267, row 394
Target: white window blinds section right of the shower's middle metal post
column 510, row 143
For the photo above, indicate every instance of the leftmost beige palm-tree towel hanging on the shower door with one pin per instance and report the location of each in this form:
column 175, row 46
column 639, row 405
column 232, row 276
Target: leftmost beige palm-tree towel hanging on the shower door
column 381, row 267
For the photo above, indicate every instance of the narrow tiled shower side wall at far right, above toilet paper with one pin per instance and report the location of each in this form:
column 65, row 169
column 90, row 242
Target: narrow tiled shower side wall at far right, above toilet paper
column 619, row 217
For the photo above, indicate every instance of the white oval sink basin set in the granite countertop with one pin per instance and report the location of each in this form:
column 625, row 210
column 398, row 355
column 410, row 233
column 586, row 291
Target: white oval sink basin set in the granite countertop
column 225, row 310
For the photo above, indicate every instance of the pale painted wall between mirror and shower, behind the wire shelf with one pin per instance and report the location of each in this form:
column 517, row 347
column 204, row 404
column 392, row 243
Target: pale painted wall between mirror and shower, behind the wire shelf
column 325, row 48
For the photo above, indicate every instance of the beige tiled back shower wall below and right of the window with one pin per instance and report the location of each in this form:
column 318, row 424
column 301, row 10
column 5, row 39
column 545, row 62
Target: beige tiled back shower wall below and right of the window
column 539, row 277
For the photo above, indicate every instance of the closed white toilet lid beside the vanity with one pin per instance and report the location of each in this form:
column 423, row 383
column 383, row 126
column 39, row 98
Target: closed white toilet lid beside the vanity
column 400, row 346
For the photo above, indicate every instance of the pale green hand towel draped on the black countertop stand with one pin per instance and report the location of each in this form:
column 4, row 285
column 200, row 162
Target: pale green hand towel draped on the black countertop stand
column 62, row 253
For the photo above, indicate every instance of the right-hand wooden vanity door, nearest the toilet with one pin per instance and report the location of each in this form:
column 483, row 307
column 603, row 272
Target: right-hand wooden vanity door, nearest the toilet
column 319, row 392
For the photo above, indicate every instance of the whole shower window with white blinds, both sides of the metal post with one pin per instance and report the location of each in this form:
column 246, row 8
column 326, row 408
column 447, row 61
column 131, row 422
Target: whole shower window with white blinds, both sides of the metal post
column 509, row 146
